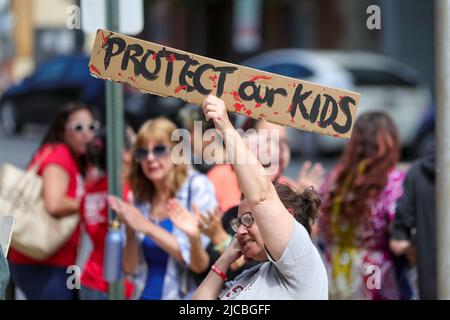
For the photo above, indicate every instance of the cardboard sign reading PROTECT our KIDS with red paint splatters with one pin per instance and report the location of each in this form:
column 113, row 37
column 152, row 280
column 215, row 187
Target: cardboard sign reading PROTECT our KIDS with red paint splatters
column 164, row 71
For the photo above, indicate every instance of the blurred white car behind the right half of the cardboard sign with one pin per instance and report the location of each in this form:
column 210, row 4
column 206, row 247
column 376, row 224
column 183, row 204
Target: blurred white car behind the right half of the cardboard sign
column 383, row 83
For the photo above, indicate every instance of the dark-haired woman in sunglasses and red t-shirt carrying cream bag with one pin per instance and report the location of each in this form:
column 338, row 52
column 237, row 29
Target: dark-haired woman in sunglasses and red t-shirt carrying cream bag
column 63, row 167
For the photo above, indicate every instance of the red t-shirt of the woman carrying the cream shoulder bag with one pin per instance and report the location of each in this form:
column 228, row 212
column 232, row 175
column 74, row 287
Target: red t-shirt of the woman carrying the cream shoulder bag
column 61, row 156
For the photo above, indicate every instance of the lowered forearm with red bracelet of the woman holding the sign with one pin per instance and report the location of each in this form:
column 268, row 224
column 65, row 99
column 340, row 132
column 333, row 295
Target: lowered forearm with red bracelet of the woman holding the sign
column 210, row 288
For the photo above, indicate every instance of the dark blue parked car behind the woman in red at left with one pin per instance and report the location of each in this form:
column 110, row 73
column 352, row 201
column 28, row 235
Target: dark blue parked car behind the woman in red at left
column 66, row 78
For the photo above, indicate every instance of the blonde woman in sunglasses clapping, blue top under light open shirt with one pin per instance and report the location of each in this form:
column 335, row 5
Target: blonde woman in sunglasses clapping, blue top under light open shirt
column 156, row 251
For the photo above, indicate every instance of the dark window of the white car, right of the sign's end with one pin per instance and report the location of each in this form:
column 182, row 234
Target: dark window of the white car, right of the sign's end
column 364, row 77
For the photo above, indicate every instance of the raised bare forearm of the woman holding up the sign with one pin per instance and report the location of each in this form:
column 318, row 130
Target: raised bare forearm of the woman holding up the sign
column 253, row 179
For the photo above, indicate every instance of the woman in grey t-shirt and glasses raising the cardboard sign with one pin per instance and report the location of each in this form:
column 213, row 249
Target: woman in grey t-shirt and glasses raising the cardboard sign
column 272, row 227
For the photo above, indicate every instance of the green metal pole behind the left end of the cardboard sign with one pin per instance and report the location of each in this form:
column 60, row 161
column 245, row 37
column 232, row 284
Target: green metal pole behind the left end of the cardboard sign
column 114, row 131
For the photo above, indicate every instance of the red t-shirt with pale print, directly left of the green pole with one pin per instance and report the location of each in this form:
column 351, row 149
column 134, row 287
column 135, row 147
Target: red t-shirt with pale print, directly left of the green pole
column 94, row 216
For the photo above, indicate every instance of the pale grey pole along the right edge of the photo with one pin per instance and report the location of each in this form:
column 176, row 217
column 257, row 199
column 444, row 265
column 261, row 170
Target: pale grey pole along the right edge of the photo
column 442, row 8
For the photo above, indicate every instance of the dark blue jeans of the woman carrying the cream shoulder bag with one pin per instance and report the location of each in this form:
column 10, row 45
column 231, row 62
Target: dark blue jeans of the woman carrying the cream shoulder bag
column 42, row 282
